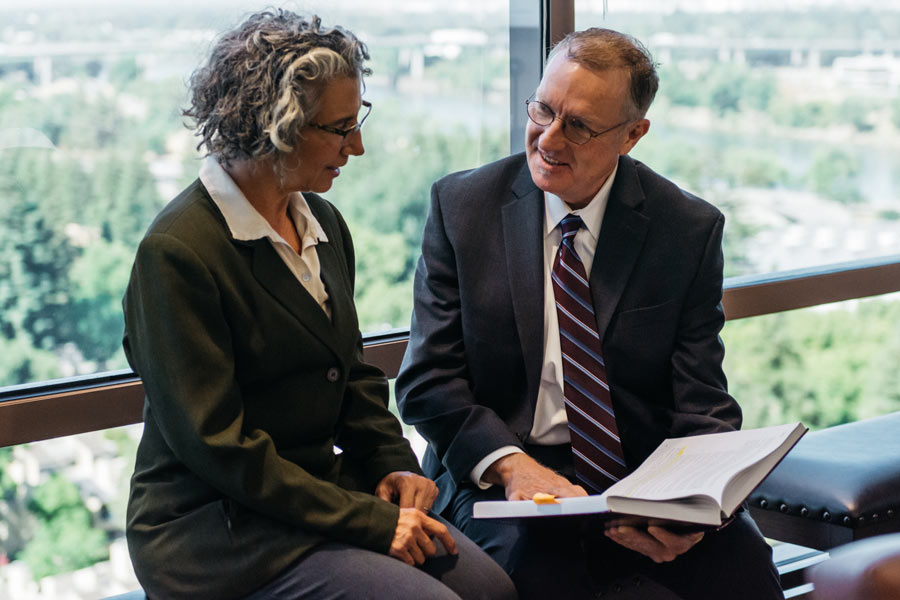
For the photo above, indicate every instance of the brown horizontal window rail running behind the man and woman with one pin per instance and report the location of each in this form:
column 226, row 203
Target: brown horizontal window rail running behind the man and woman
column 68, row 407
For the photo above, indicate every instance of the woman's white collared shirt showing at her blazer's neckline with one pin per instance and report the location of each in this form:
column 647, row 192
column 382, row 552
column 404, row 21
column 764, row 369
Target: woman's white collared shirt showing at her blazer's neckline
column 245, row 223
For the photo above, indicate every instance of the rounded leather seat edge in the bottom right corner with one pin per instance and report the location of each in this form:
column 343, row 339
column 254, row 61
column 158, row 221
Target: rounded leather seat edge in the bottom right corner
column 864, row 570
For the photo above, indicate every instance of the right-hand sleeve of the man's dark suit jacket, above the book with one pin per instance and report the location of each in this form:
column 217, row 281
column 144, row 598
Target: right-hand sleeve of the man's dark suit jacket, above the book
column 699, row 387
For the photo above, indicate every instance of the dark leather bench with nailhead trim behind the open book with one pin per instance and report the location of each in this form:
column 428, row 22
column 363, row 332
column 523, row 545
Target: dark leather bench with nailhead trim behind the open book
column 837, row 485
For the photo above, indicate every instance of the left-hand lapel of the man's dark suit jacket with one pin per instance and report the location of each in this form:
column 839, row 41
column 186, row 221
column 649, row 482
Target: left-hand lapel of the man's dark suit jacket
column 523, row 218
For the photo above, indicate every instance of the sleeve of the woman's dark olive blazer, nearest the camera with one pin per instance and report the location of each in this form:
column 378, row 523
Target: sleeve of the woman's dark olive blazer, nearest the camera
column 179, row 342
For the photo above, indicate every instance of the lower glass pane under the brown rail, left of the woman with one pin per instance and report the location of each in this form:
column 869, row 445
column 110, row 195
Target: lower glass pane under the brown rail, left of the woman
column 62, row 516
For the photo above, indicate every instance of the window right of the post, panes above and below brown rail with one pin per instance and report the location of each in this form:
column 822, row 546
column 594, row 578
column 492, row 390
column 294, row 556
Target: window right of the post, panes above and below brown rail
column 786, row 115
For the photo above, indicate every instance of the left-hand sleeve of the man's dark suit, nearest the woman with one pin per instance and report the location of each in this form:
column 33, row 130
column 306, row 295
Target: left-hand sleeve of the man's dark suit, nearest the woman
column 434, row 388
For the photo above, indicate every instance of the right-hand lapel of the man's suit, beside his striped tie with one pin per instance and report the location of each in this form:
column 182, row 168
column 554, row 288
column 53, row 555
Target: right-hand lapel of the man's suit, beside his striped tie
column 619, row 244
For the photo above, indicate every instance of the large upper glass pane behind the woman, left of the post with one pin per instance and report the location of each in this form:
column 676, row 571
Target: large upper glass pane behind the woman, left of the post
column 92, row 145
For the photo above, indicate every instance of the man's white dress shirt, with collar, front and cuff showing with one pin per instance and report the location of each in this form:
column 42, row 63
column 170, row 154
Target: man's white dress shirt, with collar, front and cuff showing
column 550, row 423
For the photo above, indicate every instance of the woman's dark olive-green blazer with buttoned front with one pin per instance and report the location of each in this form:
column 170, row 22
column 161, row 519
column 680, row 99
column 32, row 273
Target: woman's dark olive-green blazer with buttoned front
column 249, row 388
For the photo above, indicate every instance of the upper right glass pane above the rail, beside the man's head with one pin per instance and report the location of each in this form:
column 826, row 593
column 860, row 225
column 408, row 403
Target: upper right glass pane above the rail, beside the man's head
column 786, row 115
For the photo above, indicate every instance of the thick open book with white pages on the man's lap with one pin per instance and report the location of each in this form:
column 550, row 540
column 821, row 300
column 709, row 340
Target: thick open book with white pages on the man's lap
column 701, row 479
